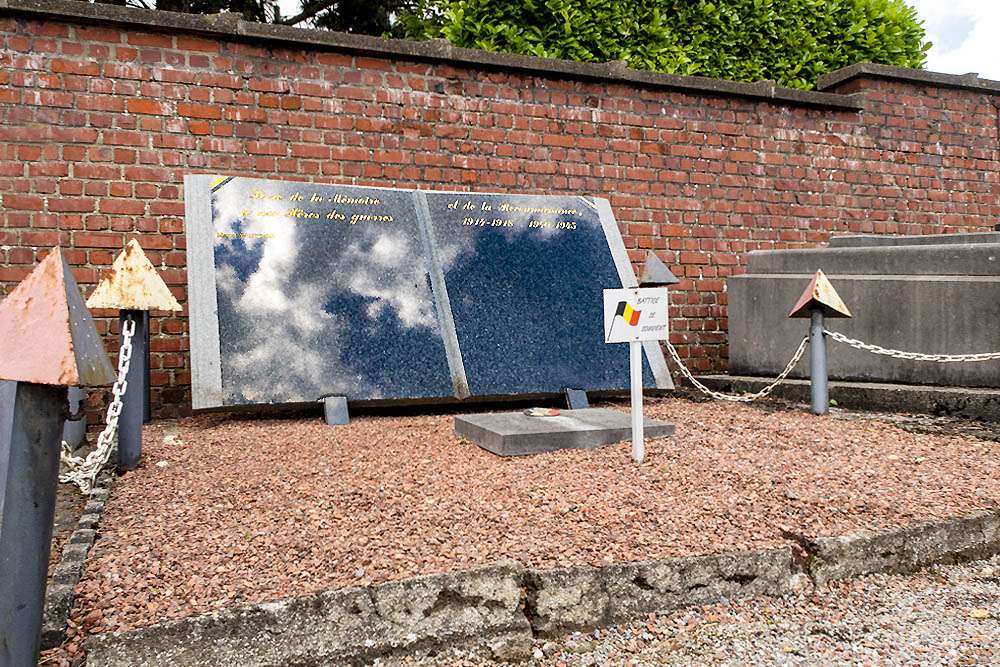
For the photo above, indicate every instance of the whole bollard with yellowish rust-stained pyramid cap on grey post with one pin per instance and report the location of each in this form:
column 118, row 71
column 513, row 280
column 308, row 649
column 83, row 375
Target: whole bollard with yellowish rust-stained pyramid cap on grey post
column 133, row 287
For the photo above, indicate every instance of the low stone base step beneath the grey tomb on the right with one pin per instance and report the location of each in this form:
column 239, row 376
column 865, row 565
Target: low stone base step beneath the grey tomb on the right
column 967, row 403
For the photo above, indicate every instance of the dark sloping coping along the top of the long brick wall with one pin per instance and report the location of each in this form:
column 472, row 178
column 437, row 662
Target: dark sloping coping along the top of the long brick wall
column 231, row 26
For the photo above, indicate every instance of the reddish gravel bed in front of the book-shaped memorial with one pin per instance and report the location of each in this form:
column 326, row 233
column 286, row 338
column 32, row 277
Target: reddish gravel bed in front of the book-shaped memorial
column 227, row 509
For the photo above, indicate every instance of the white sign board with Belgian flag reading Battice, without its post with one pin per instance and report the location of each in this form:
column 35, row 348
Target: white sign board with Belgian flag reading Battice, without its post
column 635, row 314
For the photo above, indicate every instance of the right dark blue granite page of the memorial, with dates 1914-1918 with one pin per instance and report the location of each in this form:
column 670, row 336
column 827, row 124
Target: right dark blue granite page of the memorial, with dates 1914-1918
column 525, row 277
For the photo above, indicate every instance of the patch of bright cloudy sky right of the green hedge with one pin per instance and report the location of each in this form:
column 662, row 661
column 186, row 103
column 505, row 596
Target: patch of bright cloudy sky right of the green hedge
column 964, row 34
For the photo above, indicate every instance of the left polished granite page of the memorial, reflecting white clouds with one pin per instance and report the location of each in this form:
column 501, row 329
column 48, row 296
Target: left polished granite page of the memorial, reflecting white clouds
column 322, row 290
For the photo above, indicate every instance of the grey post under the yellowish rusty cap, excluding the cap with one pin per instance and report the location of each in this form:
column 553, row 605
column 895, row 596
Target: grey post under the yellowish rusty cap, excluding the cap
column 133, row 402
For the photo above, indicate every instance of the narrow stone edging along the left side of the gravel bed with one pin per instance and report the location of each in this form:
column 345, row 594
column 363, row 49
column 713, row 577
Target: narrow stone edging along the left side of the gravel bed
column 60, row 592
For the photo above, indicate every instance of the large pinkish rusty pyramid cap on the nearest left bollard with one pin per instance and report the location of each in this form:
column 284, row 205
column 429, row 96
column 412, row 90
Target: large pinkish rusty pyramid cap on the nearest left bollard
column 47, row 335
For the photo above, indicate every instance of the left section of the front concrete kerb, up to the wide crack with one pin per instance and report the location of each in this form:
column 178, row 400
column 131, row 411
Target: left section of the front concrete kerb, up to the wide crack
column 476, row 613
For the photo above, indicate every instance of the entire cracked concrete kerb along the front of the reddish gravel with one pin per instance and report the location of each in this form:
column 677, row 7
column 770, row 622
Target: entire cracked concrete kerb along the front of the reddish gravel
column 495, row 611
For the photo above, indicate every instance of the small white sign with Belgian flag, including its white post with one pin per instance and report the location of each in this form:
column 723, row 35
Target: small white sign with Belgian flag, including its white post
column 632, row 316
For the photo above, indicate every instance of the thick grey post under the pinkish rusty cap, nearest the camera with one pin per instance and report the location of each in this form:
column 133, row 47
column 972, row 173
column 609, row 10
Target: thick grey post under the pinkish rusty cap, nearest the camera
column 34, row 442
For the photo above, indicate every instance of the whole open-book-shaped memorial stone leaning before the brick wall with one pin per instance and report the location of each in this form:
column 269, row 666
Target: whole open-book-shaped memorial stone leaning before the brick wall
column 299, row 291
